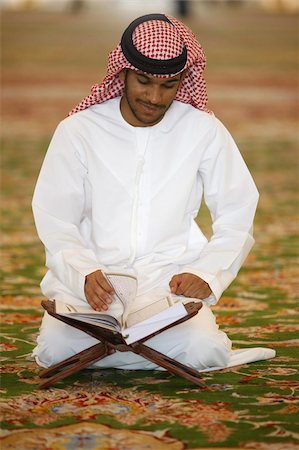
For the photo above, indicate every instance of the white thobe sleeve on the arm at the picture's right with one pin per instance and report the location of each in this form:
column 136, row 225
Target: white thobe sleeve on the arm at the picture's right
column 231, row 196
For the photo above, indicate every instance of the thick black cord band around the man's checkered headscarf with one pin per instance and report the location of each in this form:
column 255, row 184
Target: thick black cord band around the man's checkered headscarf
column 150, row 65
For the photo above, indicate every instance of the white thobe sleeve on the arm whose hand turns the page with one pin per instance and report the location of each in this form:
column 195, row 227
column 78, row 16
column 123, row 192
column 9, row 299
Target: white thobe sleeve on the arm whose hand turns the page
column 58, row 207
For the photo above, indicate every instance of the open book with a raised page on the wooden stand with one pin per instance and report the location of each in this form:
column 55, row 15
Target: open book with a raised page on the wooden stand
column 132, row 326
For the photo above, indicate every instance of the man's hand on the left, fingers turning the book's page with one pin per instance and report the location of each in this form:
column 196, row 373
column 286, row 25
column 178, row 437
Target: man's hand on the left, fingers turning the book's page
column 98, row 291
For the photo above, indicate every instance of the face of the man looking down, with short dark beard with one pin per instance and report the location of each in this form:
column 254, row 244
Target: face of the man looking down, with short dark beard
column 146, row 97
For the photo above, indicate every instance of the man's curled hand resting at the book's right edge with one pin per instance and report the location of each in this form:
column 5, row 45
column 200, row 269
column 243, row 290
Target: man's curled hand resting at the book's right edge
column 189, row 285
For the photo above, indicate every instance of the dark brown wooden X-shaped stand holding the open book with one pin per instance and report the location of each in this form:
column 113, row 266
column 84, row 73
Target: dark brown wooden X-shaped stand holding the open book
column 112, row 341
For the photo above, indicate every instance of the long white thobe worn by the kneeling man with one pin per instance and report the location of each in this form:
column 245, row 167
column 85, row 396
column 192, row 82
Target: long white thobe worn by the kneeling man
column 115, row 197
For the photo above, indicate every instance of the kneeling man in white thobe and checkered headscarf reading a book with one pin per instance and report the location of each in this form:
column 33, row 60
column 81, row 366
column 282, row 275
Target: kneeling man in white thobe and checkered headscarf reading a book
column 120, row 188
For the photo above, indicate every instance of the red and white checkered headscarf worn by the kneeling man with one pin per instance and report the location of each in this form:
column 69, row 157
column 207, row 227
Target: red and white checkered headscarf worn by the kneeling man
column 160, row 40
